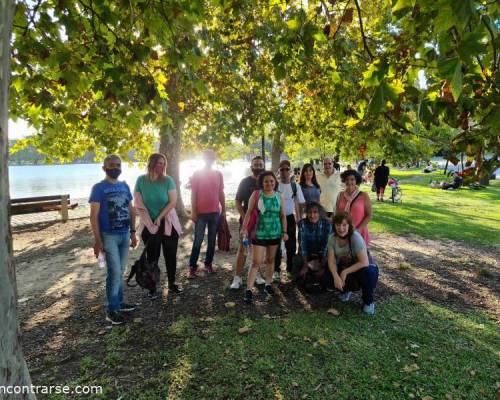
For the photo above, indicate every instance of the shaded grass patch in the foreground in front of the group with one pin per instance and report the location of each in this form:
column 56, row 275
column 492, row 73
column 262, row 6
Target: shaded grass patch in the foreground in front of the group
column 410, row 349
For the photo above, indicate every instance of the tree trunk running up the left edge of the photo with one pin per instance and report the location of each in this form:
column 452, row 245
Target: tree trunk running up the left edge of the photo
column 13, row 368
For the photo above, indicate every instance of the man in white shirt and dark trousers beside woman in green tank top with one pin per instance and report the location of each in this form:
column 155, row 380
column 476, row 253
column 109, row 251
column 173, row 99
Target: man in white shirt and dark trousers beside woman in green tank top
column 294, row 201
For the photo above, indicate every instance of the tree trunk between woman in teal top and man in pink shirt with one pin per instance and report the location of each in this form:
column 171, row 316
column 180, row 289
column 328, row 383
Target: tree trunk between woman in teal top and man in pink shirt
column 171, row 147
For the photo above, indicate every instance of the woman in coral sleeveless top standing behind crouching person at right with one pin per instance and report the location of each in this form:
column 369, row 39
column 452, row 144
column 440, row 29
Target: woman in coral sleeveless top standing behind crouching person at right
column 355, row 203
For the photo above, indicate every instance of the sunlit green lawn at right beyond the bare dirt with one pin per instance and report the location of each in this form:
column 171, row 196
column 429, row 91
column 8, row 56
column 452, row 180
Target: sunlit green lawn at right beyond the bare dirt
column 464, row 214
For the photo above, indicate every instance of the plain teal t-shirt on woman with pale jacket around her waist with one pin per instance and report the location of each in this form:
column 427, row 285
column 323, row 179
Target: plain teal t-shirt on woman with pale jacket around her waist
column 154, row 193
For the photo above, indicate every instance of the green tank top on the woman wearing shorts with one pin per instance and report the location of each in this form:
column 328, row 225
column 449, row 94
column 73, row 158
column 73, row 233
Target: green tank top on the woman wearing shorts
column 269, row 224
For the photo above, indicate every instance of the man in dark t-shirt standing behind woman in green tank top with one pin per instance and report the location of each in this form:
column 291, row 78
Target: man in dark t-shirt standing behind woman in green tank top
column 245, row 189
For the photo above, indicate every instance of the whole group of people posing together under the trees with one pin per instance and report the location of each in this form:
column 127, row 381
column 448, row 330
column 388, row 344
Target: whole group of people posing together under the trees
column 332, row 238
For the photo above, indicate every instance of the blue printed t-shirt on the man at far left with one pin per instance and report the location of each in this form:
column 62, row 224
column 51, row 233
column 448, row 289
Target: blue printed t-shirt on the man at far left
column 114, row 198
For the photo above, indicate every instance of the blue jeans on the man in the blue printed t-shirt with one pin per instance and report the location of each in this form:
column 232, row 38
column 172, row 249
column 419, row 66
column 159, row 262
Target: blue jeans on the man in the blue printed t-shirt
column 116, row 249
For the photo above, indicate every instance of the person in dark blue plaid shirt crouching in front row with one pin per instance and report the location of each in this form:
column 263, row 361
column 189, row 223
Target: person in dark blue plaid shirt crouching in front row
column 314, row 232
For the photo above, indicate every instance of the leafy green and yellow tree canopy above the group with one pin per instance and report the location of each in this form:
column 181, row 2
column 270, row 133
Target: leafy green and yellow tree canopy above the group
column 400, row 78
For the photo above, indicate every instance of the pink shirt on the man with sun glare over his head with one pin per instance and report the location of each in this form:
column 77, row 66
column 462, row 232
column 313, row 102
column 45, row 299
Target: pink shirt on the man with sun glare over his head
column 206, row 186
